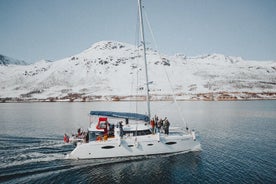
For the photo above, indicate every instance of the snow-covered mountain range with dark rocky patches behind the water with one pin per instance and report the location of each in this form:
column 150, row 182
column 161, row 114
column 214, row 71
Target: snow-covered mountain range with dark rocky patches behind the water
column 110, row 70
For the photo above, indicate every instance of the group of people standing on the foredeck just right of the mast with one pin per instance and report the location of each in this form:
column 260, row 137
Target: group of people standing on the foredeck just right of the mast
column 160, row 125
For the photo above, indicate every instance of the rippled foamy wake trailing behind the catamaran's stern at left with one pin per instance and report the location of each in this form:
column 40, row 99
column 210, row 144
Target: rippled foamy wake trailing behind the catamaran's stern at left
column 25, row 156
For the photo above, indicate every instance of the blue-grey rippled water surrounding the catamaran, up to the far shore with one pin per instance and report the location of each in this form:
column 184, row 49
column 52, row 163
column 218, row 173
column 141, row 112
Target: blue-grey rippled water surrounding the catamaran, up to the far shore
column 238, row 141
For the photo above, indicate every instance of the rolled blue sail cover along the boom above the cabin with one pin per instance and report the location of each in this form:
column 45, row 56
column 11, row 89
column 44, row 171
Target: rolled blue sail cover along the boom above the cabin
column 125, row 115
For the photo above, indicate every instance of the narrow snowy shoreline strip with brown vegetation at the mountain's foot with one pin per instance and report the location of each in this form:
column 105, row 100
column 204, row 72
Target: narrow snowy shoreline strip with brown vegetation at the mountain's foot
column 218, row 96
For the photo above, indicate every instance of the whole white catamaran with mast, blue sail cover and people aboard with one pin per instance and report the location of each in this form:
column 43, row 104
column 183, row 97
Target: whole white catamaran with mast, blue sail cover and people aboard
column 125, row 134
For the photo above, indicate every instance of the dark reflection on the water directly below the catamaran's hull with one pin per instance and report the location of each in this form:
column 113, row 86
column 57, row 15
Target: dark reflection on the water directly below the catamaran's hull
column 150, row 169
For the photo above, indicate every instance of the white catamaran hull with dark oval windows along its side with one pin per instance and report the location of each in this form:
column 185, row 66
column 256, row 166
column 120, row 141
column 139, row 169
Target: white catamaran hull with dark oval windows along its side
column 136, row 146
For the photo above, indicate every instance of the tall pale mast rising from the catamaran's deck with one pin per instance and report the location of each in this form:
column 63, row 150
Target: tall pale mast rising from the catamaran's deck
column 145, row 56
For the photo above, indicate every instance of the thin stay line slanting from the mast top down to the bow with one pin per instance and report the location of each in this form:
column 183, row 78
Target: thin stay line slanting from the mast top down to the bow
column 168, row 78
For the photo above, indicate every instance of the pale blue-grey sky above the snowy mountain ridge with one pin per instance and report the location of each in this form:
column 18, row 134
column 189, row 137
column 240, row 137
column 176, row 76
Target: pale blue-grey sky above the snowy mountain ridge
column 53, row 29
